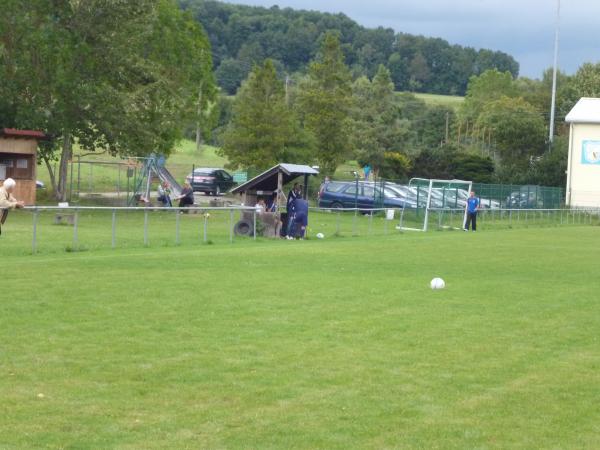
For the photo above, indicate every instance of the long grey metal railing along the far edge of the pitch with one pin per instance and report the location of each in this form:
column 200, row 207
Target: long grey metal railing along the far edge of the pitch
column 73, row 228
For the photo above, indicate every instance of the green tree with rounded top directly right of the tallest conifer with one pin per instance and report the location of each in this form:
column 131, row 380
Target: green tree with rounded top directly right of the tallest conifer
column 378, row 128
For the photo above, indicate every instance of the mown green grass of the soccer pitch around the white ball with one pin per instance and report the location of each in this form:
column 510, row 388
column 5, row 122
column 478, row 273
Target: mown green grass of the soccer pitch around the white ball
column 337, row 343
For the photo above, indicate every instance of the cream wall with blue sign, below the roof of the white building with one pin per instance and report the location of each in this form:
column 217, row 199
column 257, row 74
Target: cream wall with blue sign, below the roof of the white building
column 583, row 177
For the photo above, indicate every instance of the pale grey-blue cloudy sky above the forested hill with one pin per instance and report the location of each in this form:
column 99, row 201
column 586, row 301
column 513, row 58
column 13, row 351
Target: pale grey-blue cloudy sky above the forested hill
column 522, row 28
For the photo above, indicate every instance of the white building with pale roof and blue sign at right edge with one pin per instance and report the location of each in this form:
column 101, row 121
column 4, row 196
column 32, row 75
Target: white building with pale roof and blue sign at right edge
column 583, row 173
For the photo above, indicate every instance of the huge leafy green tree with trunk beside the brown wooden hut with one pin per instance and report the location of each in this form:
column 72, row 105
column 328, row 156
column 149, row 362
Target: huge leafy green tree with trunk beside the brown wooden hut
column 120, row 77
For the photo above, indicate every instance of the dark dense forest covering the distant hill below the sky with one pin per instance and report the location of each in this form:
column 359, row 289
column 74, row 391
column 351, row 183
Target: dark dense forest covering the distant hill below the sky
column 242, row 36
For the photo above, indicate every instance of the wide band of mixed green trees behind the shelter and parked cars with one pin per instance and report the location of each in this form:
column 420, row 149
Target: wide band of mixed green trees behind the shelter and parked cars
column 499, row 134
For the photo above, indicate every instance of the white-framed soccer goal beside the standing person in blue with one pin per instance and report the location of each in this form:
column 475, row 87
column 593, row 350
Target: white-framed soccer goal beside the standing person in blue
column 439, row 203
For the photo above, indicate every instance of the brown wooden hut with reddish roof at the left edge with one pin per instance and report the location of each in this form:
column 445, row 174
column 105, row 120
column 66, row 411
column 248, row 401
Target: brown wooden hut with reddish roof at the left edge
column 18, row 160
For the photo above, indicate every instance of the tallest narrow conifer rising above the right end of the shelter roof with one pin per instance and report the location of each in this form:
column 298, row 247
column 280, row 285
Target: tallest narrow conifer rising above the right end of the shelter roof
column 325, row 103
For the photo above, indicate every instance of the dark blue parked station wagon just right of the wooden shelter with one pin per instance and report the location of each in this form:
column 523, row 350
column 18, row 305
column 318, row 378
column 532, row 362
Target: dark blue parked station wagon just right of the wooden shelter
column 344, row 194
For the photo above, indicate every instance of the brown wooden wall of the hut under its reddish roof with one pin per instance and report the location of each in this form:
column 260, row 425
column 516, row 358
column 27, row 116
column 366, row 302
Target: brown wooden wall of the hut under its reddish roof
column 14, row 149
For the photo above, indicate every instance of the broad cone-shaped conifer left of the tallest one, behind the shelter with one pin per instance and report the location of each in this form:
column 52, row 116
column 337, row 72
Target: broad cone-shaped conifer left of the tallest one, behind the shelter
column 263, row 130
